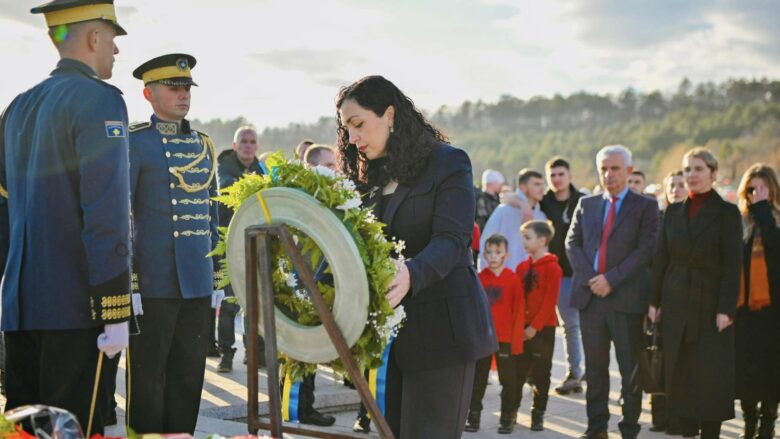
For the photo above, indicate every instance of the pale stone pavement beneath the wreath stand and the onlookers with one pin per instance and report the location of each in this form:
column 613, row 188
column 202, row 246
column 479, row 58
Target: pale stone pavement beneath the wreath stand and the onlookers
column 223, row 405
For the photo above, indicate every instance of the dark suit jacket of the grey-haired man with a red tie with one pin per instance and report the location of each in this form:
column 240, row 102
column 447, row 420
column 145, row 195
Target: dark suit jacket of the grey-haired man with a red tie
column 629, row 250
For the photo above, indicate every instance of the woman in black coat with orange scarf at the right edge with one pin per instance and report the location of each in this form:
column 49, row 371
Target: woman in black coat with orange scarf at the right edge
column 757, row 324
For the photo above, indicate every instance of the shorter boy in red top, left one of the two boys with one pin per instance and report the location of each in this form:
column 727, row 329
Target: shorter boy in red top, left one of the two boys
column 502, row 288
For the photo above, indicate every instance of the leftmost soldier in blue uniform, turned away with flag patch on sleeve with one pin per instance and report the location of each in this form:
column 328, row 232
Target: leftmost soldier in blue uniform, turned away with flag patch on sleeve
column 64, row 217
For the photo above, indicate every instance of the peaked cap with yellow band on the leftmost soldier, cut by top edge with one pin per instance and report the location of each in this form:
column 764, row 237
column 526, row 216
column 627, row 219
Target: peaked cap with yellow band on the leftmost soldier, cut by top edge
column 59, row 12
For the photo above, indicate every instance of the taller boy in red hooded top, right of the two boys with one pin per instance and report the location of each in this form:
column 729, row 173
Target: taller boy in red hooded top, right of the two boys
column 540, row 280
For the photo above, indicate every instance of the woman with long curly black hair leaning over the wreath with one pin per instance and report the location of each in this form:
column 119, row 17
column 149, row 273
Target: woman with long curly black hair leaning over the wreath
column 422, row 189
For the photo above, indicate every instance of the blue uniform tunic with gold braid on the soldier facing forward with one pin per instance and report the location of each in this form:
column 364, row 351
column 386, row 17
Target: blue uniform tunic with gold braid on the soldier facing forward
column 174, row 228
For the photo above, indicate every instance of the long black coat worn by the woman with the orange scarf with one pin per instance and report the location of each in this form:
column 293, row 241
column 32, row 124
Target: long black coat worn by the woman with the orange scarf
column 758, row 332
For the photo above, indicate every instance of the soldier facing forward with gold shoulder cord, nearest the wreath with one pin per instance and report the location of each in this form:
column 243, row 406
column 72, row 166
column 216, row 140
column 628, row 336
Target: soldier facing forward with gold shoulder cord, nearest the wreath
column 172, row 181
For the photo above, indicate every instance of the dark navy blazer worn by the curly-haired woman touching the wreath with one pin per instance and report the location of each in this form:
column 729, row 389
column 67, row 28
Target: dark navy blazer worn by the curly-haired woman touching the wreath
column 448, row 317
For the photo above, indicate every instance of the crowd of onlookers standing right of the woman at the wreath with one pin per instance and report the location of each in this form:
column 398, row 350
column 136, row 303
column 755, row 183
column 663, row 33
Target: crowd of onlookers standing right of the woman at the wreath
column 625, row 259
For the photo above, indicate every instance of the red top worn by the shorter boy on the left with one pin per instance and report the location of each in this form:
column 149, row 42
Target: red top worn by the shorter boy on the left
column 507, row 306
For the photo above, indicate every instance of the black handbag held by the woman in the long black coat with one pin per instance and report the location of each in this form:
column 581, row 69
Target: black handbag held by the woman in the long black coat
column 649, row 370
